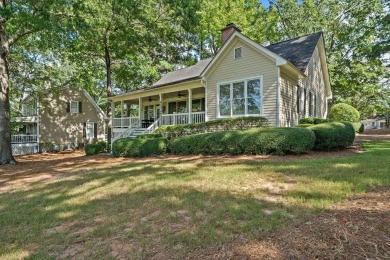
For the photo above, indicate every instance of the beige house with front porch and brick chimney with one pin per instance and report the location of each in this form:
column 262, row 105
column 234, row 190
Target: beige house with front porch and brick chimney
column 283, row 82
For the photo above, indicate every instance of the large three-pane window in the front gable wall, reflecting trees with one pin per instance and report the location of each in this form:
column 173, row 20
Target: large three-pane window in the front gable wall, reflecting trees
column 240, row 98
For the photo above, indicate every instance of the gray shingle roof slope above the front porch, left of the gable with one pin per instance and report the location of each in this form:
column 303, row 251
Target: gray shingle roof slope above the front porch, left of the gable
column 185, row 74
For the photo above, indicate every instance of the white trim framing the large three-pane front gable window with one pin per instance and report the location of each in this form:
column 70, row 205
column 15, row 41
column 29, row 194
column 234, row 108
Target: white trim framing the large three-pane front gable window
column 245, row 97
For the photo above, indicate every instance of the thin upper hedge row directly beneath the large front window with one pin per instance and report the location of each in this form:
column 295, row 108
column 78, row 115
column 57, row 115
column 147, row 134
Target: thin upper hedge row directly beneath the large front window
column 226, row 124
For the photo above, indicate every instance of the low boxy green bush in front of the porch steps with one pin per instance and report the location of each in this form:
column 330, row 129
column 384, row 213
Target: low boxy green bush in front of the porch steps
column 139, row 147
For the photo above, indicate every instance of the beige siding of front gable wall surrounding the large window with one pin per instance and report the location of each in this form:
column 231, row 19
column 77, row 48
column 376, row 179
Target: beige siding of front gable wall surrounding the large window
column 252, row 64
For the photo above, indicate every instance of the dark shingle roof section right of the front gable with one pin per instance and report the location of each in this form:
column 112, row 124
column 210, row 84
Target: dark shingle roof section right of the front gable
column 298, row 51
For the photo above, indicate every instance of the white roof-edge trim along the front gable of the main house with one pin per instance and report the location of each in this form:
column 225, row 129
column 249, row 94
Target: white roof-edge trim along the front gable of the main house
column 279, row 60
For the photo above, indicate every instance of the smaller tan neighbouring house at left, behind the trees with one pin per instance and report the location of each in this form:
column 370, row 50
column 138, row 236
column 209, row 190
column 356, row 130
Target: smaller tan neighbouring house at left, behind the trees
column 57, row 119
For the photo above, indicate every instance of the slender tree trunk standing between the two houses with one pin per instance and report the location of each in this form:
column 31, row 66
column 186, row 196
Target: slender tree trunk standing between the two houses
column 107, row 59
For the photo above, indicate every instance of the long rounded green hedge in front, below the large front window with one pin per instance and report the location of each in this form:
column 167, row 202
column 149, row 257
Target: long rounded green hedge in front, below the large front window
column 277, row 141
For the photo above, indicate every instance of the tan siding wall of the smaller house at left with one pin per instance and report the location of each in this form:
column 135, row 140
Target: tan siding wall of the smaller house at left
column 60, row 127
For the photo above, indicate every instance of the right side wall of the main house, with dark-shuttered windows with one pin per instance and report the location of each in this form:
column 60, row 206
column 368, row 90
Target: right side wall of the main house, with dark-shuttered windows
column 313, row 82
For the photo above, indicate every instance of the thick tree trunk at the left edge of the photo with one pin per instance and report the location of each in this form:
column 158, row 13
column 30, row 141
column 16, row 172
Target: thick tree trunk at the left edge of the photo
column 5, row 130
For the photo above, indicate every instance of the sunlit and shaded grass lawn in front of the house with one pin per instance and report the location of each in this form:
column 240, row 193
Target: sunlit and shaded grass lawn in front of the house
column 137, row 209
